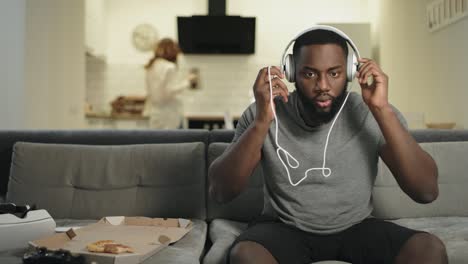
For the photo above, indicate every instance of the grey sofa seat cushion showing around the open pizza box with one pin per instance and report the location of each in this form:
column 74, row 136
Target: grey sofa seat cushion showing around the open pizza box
column 188, row 249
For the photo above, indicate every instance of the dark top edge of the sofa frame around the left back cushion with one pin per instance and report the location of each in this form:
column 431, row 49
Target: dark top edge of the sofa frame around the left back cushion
column 98, row 137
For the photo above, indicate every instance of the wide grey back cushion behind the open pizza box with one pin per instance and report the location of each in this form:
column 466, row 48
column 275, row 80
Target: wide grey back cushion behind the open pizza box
column 91, row 181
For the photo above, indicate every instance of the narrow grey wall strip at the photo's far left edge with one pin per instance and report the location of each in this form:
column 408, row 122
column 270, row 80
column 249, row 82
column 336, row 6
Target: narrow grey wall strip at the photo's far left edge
column 12, row 34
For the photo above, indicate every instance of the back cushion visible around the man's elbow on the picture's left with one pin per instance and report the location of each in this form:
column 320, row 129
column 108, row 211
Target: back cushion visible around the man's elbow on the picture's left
column 245, row 206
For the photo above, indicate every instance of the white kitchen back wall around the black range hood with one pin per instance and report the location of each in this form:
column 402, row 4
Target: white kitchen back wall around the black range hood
column 226, row 80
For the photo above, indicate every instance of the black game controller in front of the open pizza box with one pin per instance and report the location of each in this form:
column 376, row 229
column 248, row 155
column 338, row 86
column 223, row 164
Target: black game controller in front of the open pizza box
column 44, row 256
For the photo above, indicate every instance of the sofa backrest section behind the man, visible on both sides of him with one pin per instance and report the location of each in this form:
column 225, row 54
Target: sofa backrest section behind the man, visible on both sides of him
column 448, row 148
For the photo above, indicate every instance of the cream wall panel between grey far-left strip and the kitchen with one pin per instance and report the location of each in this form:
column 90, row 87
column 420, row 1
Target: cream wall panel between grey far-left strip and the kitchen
column 54, row 64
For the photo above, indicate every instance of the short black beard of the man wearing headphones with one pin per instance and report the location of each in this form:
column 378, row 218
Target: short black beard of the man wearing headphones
column 311, row 110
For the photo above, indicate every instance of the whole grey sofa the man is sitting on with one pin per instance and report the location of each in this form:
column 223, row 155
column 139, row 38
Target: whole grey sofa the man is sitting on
column 79, row 177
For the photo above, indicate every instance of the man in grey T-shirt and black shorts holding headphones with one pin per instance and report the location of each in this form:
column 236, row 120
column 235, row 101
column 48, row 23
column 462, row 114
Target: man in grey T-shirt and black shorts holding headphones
column 313, row 214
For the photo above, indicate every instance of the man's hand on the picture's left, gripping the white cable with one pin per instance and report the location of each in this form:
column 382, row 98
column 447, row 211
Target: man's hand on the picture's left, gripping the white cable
column 261, row 90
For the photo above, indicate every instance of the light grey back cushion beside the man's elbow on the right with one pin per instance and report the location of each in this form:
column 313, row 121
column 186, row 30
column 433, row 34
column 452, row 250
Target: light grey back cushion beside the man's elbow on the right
column 391, row 203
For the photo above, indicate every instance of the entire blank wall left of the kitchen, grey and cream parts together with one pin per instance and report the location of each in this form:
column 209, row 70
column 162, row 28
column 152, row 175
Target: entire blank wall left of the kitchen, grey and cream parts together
column 42, row 66
